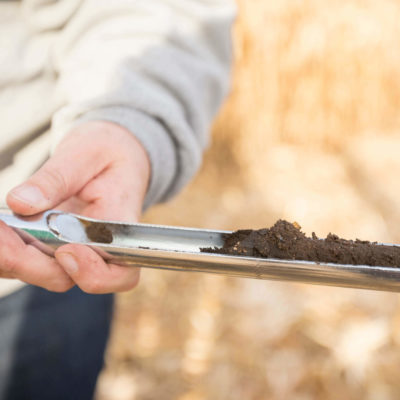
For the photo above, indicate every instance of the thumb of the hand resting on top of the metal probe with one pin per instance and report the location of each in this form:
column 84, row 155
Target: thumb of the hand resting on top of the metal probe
column 60, row 178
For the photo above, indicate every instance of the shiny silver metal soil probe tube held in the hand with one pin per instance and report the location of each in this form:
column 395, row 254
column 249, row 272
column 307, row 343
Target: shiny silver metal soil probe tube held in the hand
column 173, row 248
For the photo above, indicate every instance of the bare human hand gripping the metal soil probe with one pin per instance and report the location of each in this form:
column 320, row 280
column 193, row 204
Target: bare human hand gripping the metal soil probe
column 99, row 170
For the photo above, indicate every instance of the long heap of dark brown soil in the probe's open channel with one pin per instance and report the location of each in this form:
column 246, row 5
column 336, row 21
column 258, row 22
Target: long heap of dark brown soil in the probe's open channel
column 286, row 241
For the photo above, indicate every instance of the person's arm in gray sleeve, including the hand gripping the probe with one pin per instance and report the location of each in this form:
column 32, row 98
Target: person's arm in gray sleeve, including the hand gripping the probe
column 157, row 72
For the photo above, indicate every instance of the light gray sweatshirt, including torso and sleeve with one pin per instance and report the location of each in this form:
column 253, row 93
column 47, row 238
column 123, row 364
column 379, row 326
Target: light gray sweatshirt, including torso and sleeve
column 159, row 68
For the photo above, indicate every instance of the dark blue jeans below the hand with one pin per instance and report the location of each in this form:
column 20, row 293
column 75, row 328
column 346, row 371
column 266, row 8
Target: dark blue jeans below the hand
column 51, row 344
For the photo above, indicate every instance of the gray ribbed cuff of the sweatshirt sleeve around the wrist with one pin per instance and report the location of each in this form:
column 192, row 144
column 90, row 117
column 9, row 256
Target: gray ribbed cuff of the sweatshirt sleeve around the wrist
column 153, row 136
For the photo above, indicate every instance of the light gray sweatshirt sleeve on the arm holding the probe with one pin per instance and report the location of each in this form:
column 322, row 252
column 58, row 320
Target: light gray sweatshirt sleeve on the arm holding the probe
column 159, row 68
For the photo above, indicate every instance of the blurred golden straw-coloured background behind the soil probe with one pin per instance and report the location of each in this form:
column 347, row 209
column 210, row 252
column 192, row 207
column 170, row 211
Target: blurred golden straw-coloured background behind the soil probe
column 310, row 133
